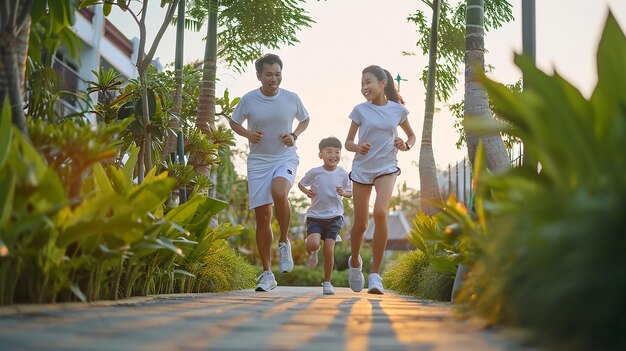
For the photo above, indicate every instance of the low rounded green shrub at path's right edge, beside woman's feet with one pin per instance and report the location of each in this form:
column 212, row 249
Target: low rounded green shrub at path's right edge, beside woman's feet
column 414, row 274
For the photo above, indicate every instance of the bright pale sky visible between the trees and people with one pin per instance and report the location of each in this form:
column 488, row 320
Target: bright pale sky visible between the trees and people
column 325, row 67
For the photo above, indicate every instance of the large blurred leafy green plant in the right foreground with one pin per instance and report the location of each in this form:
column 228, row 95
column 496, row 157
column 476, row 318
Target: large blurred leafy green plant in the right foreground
column 551, row 266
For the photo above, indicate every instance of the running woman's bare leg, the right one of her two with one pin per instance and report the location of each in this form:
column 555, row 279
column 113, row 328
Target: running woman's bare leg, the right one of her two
column 384, row 190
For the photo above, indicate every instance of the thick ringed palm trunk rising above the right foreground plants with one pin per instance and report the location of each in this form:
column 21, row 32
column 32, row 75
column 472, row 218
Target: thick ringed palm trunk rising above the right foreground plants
column 476, row 100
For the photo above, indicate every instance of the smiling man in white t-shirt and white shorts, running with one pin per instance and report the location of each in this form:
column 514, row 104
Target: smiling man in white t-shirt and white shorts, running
column 272, row 162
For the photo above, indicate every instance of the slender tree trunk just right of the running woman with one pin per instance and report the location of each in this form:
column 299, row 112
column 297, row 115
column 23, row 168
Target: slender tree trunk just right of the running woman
column 429, row 186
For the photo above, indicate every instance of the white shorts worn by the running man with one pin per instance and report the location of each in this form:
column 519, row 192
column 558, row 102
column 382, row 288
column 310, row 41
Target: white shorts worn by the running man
column 261, row 175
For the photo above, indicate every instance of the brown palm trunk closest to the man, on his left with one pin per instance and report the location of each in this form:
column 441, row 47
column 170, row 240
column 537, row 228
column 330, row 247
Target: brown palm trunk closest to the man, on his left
column 205, row 120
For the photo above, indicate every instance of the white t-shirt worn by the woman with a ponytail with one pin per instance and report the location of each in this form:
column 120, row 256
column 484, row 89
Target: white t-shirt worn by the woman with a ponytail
column 378, row 125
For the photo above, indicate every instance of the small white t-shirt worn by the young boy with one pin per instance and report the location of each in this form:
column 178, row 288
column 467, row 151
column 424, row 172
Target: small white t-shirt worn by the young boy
column 327, row 203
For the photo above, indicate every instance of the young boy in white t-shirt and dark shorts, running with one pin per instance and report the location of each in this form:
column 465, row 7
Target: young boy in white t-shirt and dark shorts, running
column 324, row 219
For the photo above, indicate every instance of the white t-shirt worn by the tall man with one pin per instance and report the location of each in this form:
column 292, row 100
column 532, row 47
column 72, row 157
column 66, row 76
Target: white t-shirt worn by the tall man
column 273, row 116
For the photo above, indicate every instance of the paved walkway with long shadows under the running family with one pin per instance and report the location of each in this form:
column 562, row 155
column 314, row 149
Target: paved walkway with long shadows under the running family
column 287, row 318
